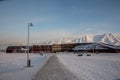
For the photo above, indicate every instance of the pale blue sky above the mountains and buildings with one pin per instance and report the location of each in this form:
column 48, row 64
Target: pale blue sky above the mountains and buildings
column 54, row 19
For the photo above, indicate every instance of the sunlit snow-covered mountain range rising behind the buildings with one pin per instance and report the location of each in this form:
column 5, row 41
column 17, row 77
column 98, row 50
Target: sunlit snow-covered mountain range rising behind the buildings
column 113, row 39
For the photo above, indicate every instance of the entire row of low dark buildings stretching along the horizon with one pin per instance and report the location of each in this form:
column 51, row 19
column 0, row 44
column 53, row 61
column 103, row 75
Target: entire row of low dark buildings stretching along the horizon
column 72, row 47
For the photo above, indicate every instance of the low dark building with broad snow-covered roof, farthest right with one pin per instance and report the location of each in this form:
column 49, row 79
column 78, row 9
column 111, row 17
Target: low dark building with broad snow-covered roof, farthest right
column 97, row 48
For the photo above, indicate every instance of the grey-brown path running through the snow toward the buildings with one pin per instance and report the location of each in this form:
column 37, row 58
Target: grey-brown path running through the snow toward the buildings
column 54, row 70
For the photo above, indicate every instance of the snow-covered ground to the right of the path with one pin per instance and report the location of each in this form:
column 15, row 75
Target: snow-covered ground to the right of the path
column 104, row 66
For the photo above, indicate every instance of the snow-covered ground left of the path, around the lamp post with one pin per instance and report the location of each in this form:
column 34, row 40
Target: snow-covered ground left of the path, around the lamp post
column 13, row 66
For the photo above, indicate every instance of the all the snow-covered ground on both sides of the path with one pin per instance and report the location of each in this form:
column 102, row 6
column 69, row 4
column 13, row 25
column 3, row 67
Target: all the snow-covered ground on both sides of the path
column 102, row 66
